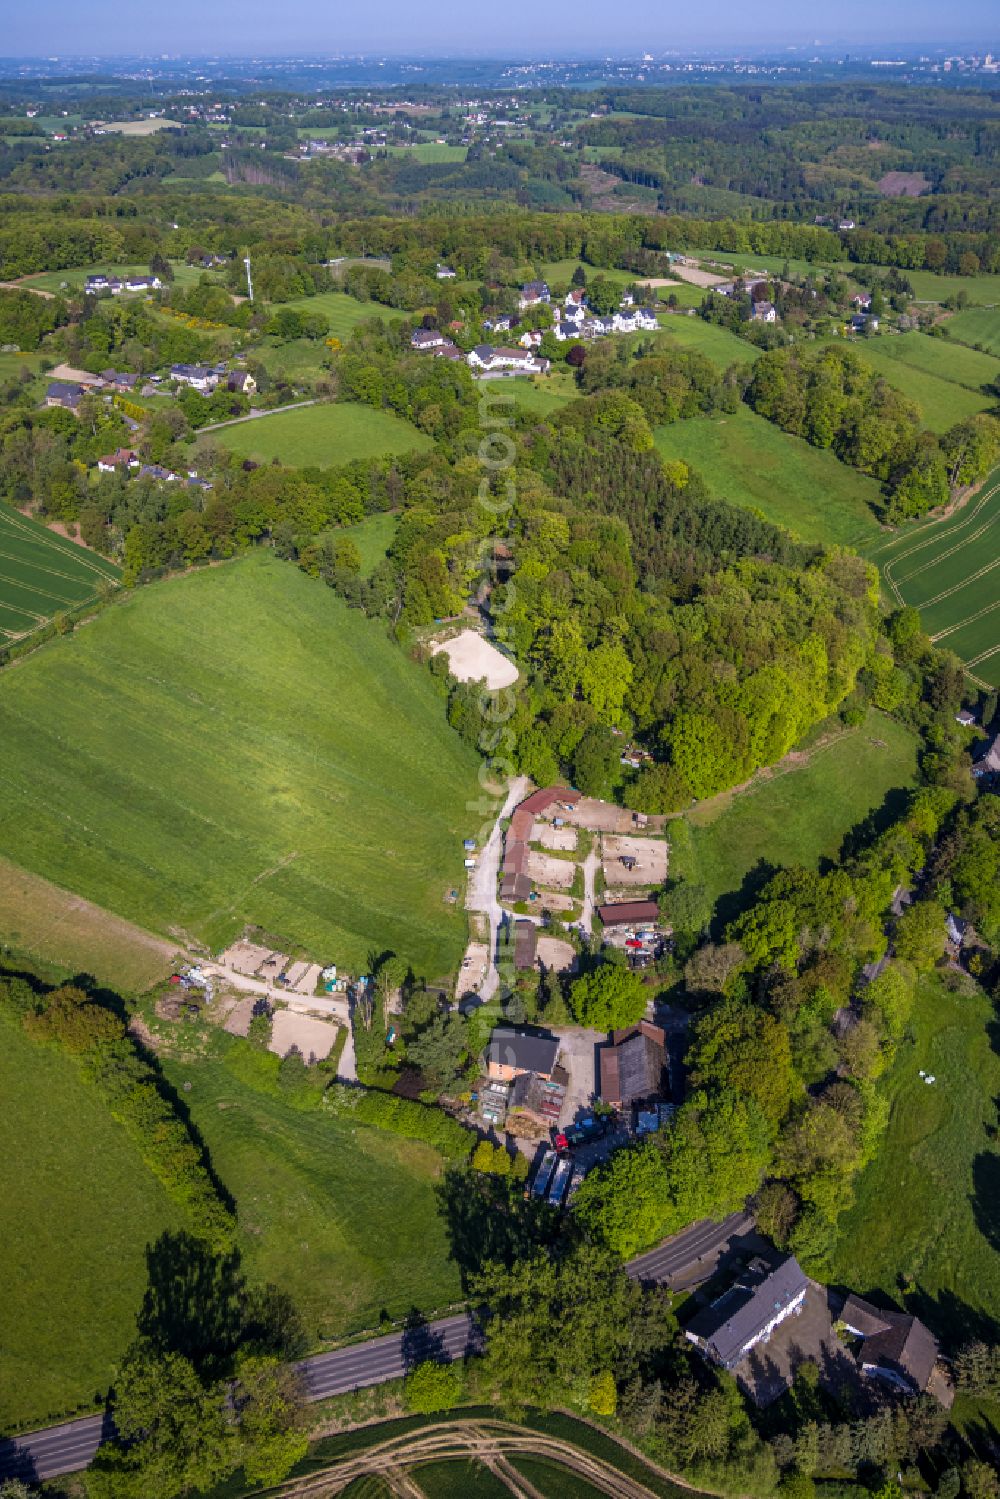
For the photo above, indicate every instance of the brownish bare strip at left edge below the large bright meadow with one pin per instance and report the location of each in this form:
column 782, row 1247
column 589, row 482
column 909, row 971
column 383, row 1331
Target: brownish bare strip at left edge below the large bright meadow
column 53, row 926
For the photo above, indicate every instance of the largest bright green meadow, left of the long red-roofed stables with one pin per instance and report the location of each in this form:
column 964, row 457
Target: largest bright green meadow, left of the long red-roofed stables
column 236, row 746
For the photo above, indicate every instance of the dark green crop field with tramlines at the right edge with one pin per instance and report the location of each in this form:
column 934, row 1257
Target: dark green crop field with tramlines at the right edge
column 948, row 570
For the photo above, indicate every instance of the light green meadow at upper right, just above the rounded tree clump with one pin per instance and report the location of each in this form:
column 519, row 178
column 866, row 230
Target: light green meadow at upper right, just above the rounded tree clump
column 945, row 381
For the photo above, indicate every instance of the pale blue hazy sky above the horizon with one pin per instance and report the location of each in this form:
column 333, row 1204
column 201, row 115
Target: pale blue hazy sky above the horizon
column 445, row 28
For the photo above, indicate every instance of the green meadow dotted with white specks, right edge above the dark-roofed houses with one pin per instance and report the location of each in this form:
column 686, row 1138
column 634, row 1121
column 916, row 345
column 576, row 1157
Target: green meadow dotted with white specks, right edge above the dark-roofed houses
column 939, row 1168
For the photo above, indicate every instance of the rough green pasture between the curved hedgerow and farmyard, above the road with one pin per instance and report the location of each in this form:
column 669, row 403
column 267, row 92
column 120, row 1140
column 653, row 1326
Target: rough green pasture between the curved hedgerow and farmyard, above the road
column 341, row 1216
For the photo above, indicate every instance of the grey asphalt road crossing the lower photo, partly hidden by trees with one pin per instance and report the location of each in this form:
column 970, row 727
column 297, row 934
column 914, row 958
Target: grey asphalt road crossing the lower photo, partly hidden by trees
column 73, row 1446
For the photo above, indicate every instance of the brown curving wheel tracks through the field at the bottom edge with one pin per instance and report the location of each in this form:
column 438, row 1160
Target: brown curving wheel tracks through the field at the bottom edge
column 485, row 1441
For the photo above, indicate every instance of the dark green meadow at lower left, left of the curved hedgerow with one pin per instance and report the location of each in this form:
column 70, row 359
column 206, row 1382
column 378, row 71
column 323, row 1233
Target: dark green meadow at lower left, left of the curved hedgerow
column 80, row 1210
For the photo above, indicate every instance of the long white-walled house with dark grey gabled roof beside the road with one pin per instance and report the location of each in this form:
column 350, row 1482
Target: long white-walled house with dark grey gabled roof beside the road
column 749, row 1312
